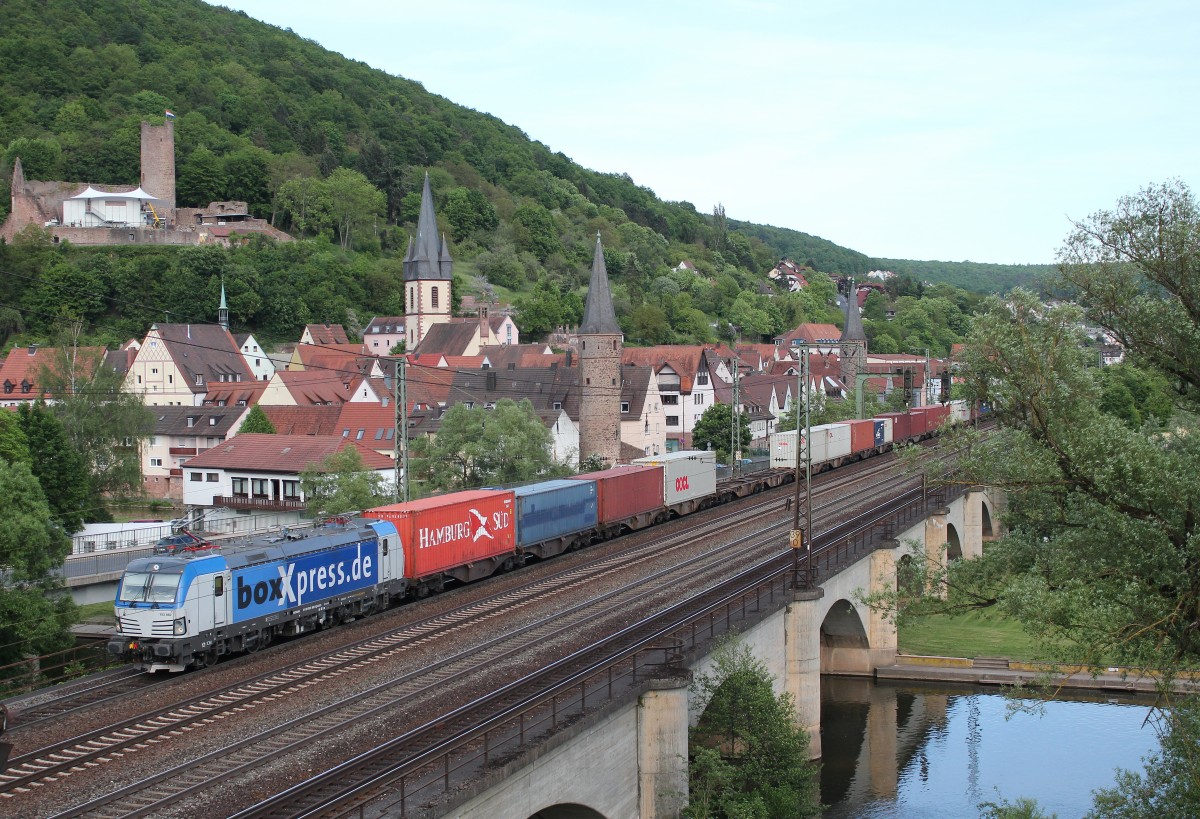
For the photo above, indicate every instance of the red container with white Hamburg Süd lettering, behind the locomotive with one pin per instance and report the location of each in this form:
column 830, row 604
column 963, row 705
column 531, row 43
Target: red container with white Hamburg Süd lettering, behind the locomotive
column 448, row 531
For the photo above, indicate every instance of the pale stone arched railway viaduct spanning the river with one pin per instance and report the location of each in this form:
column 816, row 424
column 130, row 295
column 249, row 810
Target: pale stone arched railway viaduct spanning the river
column 631, row 760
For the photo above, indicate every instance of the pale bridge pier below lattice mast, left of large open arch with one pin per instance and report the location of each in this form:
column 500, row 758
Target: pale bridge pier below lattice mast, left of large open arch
column 802, row 644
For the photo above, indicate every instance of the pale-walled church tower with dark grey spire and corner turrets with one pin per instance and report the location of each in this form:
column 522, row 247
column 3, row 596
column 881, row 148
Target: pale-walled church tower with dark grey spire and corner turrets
column 428, row 268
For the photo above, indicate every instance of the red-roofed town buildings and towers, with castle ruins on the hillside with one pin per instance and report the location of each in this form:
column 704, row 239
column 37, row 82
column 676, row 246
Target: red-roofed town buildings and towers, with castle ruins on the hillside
column 327, row 392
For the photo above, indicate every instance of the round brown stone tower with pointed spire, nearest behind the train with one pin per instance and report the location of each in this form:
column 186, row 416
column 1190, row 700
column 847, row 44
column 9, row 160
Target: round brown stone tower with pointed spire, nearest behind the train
column 601, row 340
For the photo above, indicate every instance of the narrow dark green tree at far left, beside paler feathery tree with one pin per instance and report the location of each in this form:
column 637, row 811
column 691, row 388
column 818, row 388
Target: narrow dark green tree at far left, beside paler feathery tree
column 58, row 467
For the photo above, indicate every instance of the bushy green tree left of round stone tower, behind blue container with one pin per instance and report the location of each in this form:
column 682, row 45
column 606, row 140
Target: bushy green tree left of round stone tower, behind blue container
column 476, row 447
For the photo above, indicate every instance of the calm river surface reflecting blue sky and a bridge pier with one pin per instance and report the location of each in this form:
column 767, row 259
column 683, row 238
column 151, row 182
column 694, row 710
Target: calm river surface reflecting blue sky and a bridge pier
column 915, row 750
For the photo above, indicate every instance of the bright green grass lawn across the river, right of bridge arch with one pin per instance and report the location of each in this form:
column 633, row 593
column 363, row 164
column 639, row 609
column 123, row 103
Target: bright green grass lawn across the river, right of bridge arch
column 982, row 633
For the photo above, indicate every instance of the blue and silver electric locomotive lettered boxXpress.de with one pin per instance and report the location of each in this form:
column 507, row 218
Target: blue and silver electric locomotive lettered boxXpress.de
column 175, row 612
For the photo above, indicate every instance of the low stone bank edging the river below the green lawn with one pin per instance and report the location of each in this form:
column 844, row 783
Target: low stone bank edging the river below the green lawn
column 1001, row 672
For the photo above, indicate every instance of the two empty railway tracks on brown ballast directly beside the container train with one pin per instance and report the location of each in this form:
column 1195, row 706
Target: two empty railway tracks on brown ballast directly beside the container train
column 52, row 764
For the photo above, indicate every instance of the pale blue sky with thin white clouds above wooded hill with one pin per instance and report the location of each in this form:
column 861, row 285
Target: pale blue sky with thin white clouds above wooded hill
column 914, row 130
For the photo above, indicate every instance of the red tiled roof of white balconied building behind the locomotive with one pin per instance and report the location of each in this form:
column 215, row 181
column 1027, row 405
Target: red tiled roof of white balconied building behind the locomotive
column 259, row 452
